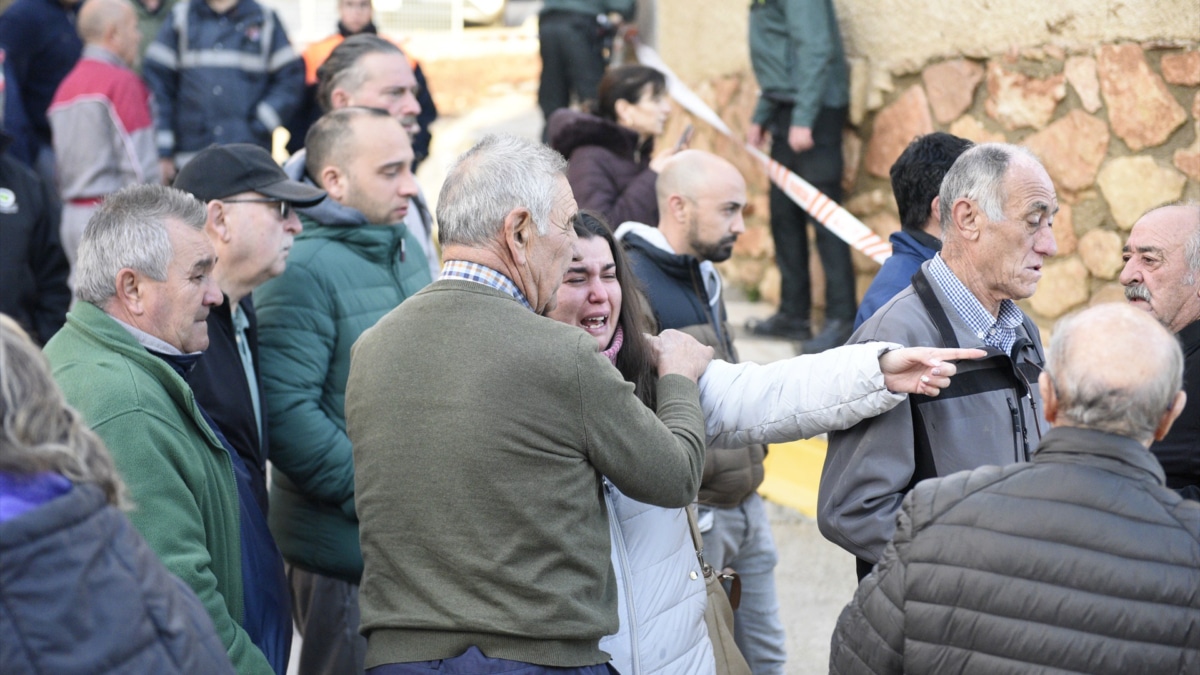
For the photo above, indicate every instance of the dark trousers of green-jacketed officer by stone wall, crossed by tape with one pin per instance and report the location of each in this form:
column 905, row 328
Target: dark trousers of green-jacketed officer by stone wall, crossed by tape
column 821, row 166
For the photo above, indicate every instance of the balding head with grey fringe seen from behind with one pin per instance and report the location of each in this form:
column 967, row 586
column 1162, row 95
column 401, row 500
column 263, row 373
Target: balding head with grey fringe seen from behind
column 1113, row 369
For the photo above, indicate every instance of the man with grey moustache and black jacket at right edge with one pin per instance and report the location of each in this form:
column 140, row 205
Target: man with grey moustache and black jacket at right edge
column 1162, row 277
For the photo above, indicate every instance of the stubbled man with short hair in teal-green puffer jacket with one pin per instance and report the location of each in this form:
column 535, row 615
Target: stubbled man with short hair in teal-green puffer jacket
column 355, row 262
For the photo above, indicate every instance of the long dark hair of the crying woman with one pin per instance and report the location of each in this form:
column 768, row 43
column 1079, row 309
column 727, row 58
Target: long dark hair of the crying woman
column 635, row 361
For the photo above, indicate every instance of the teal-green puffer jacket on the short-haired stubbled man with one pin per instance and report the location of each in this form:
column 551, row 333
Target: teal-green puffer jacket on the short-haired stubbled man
column 341, row 278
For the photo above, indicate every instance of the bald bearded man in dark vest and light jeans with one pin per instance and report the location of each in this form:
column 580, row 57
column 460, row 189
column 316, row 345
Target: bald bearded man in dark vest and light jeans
column 701, row 199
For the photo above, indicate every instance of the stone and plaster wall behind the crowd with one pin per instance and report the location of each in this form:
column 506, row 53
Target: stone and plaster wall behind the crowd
column 1107, row 94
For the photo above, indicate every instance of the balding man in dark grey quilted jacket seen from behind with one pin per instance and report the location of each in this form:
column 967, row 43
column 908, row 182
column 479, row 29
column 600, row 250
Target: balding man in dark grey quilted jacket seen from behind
column 1079, row 561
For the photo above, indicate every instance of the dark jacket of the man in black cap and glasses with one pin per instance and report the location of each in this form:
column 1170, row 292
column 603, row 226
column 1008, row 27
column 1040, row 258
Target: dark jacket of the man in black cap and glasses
column 221, row 390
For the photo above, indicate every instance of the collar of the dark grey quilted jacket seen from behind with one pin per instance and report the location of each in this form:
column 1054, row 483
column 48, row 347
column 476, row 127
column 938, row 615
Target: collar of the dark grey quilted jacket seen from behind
column 1120, row 455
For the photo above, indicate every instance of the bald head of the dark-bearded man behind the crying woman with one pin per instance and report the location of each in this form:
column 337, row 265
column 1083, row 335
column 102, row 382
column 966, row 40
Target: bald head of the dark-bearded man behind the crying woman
column 701, row 199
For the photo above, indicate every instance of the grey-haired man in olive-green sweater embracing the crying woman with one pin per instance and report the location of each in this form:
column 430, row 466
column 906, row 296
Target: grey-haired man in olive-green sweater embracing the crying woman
column 482, row 431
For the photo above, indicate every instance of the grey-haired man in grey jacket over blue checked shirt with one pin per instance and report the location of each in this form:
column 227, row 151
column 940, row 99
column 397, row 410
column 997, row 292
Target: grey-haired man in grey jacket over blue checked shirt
column 997, row 207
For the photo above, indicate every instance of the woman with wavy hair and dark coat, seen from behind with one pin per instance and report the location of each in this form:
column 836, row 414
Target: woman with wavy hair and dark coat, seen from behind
column 81, row 593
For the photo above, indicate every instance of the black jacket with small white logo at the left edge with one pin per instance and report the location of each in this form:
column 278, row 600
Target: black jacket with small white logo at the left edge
column 33, row 267
